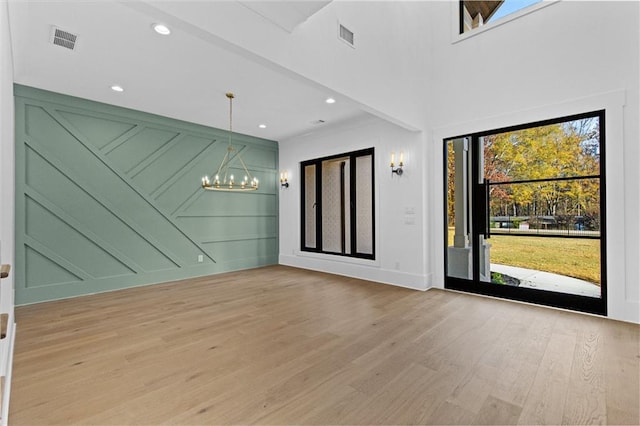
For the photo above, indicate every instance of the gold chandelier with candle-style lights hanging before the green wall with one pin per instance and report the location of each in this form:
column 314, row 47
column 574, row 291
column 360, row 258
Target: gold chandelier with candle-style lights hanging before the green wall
column 224, row 180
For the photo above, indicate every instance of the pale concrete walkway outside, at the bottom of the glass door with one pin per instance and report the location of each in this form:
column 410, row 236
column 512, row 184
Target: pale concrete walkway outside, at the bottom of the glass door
column 548, row 281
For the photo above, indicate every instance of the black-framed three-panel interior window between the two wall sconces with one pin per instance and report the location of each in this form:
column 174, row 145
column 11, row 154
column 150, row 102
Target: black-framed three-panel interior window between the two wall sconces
column 337, row 205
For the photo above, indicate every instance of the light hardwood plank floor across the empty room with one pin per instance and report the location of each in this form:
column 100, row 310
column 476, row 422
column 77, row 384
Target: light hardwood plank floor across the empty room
column 279, row 345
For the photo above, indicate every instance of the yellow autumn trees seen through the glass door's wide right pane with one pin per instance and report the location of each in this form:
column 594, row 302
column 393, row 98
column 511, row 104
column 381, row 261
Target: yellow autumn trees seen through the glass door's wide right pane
column 563, row 150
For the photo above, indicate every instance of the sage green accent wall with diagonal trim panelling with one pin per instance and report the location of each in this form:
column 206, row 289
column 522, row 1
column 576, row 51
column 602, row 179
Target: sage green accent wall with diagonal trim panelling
column 110, row 198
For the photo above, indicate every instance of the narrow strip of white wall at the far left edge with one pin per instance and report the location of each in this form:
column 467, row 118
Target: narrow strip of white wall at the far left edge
column 6, row 143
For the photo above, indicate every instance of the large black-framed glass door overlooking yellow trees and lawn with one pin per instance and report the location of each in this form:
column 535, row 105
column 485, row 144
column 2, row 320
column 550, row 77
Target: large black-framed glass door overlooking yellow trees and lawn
column 525, row 215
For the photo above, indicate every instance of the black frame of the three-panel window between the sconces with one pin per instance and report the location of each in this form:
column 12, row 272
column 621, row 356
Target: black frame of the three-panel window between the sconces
column 352, row 187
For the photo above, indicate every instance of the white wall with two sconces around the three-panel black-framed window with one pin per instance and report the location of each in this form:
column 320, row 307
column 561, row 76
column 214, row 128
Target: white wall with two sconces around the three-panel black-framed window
column 398, row 202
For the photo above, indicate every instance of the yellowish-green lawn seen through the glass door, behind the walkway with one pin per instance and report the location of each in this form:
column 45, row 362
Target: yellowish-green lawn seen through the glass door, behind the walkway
column 572, row 257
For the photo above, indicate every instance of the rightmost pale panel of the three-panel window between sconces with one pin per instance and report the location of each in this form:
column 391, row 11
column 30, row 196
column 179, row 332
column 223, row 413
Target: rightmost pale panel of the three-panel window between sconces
column 364, row 204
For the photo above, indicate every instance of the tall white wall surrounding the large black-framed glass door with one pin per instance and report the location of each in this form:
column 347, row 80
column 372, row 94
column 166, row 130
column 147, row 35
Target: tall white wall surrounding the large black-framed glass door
column 566, row 58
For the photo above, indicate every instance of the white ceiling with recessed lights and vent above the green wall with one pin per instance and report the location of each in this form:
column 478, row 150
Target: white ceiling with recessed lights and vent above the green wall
column 183, row 75
